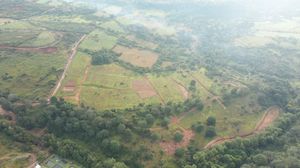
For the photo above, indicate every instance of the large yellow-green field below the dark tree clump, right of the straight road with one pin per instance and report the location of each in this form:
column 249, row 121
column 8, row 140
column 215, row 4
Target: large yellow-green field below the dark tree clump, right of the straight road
column 111, row 86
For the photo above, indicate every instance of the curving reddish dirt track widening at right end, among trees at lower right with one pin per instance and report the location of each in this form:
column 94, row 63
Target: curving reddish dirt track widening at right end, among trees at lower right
column 270, row 115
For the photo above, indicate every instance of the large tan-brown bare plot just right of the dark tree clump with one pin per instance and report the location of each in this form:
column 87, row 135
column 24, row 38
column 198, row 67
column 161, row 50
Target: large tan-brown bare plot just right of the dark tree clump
column 140, row 58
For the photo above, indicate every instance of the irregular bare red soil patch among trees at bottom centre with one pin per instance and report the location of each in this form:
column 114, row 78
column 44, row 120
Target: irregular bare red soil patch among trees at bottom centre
column 170, row 147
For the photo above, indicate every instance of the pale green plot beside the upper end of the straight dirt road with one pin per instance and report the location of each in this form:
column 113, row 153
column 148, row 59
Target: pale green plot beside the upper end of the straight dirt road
column 98, row 40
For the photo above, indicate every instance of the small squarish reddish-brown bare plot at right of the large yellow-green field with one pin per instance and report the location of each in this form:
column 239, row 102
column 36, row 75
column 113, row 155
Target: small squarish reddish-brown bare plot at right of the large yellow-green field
column 143, row 88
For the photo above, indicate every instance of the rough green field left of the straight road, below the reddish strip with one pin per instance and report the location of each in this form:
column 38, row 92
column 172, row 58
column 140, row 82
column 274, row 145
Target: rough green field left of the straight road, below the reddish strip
column 30, row 74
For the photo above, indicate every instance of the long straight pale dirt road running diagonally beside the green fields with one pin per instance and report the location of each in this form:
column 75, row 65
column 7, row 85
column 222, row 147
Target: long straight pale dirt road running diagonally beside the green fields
column 69, row 61
